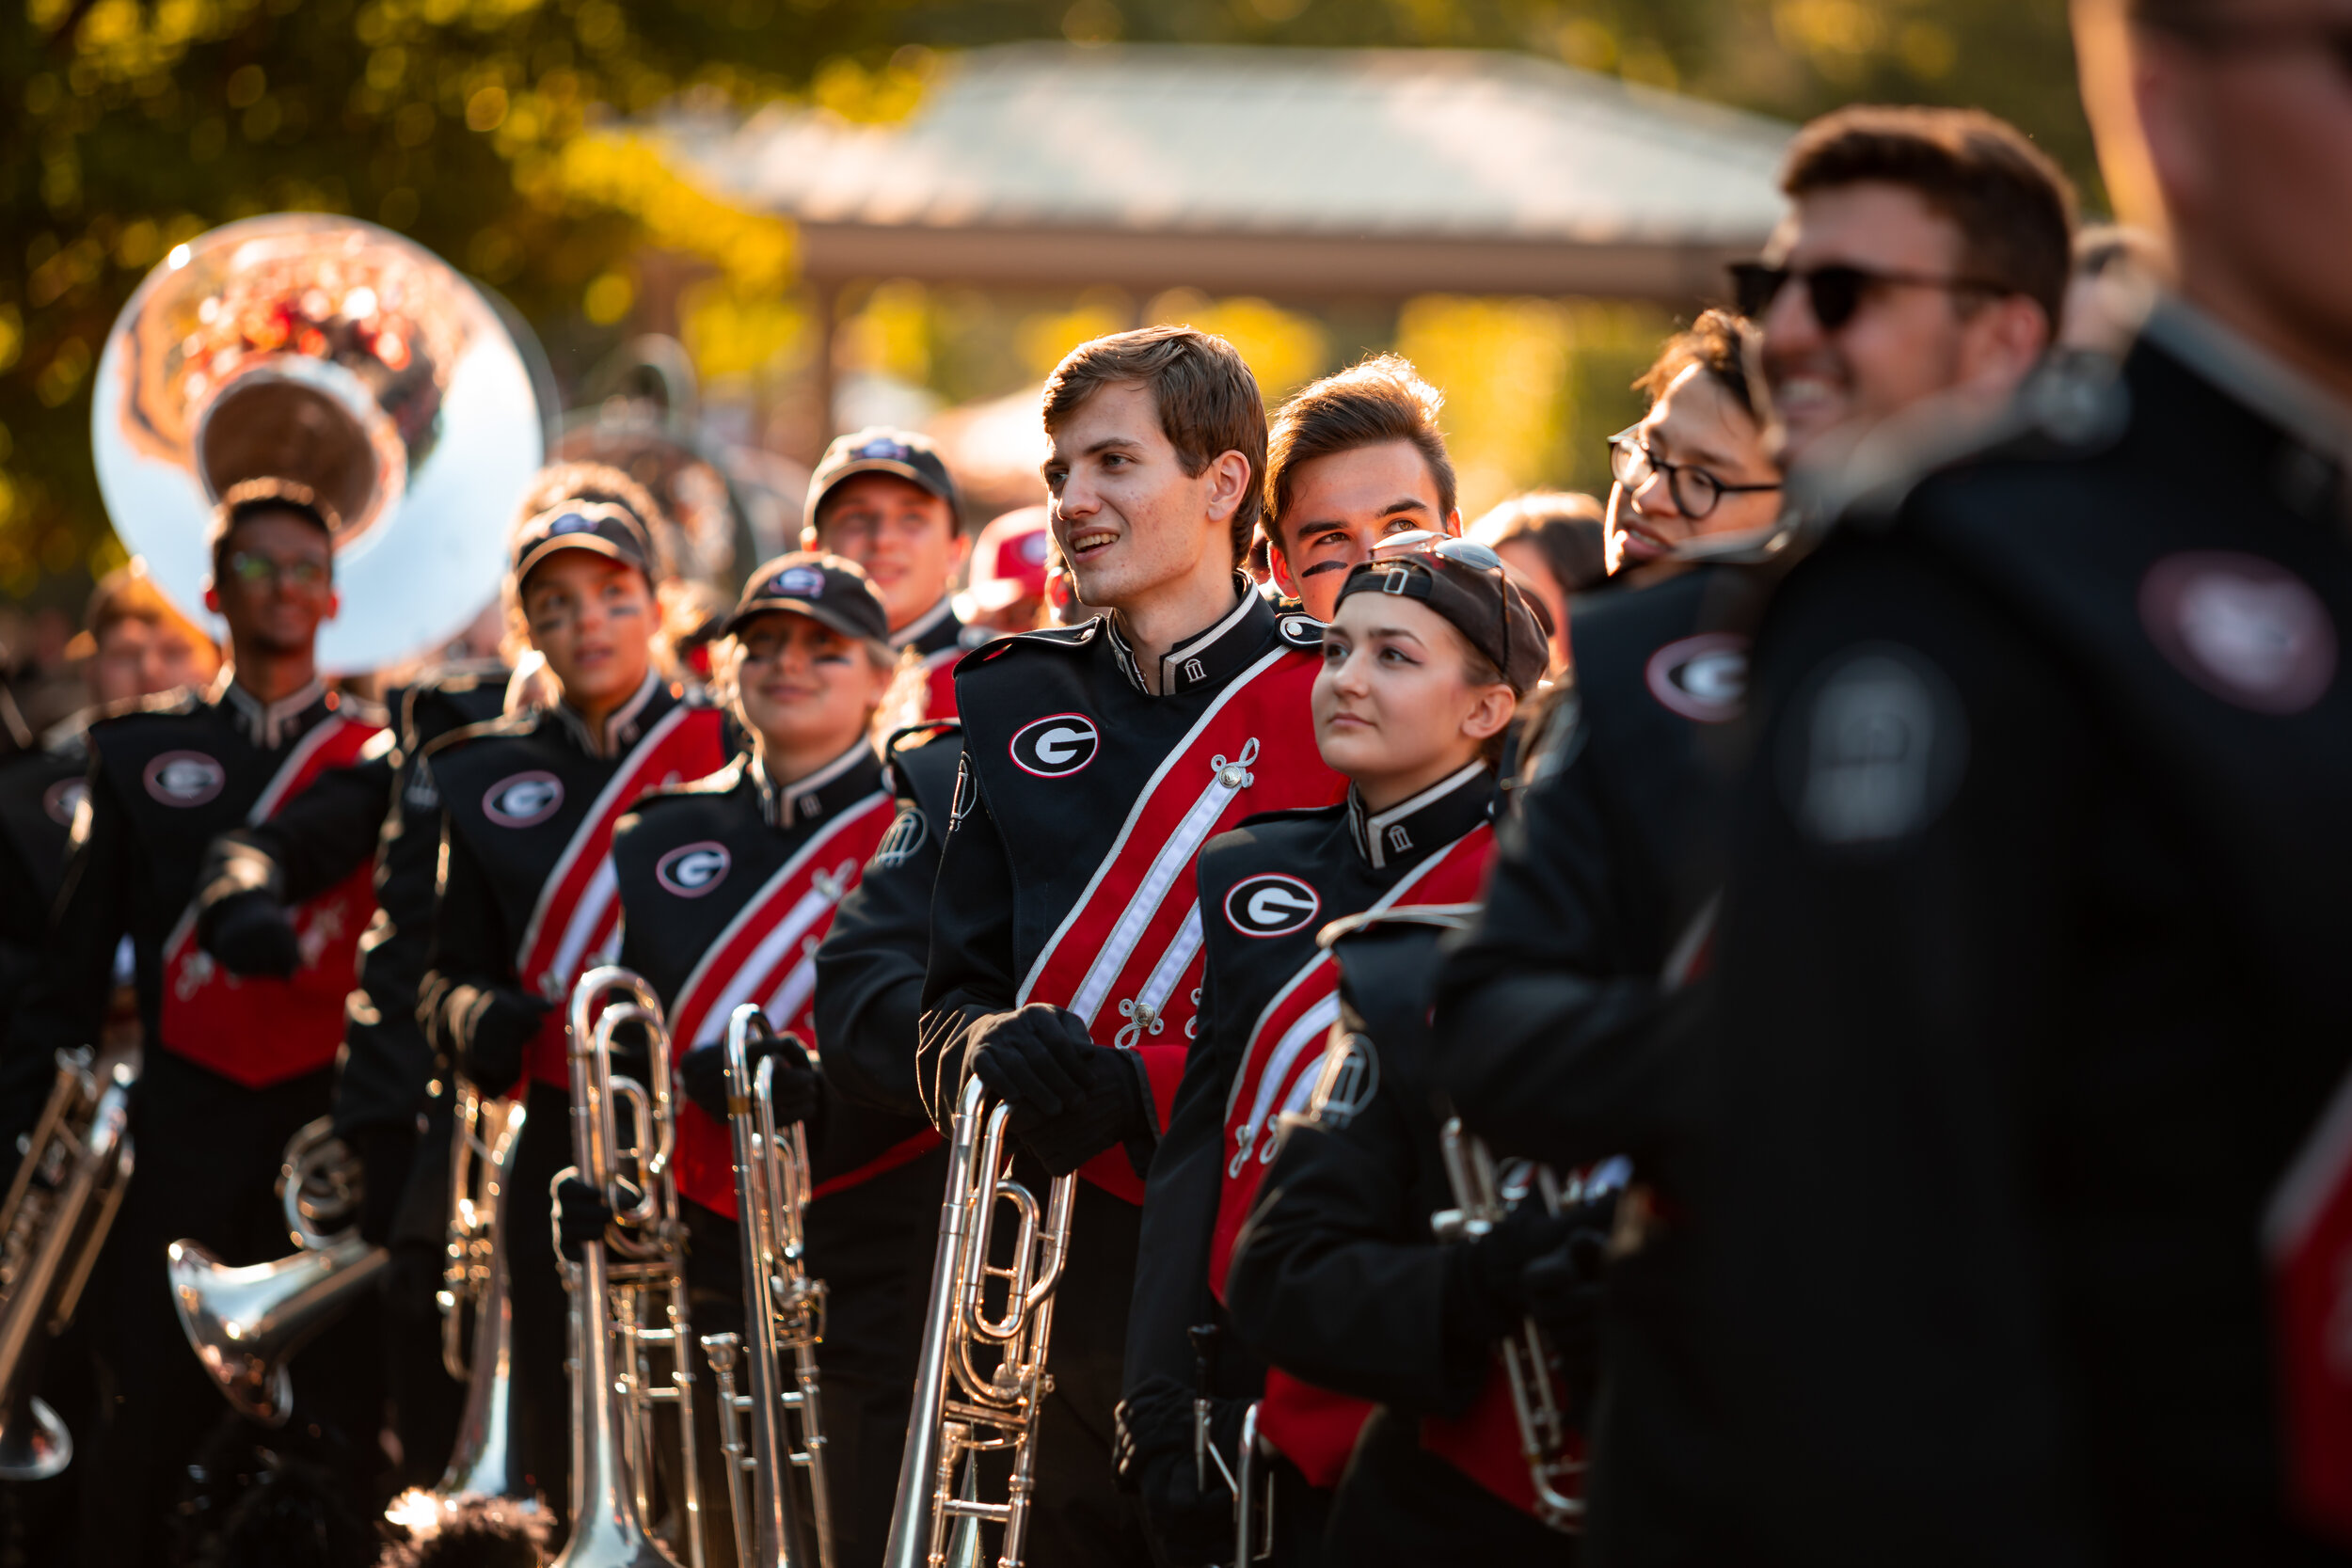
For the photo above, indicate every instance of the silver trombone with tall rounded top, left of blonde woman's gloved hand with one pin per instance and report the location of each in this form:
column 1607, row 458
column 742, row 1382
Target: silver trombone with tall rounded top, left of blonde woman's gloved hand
column 639, row 1268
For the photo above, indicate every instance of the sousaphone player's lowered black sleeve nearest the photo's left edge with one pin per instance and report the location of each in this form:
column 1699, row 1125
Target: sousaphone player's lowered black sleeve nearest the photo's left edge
column 67, row 998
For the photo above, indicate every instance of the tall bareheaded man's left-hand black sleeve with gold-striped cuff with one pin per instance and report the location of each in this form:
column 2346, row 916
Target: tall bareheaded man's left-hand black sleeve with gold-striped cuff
column 973, row 951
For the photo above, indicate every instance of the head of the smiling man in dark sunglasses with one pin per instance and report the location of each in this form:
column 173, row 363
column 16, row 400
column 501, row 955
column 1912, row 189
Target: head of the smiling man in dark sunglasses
column 1925, row 257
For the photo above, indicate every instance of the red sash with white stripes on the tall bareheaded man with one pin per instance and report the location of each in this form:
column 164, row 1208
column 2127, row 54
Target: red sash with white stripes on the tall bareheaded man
column 1128, row 956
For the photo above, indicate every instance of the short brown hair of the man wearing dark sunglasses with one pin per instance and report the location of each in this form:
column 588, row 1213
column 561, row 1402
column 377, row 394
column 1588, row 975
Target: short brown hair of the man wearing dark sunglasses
column 2012, row 206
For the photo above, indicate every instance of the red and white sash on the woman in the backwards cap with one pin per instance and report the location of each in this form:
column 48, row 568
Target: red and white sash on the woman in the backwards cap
column 1314, row 1428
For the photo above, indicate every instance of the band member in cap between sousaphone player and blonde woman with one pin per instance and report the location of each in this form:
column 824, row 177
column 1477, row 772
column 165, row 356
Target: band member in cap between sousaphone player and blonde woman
column 526, row 897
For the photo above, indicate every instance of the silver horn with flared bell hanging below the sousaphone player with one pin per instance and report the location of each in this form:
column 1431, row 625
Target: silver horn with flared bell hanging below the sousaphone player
column 246, row 1325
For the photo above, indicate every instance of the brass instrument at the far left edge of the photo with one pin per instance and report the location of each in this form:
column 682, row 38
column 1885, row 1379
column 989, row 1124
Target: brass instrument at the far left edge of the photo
column 53, row 1226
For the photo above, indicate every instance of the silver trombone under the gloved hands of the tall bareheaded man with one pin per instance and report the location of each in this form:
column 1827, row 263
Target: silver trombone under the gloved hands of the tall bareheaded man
column 984, row 1412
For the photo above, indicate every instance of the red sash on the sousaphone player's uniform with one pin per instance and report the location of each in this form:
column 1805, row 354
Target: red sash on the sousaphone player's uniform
column 262, row 1031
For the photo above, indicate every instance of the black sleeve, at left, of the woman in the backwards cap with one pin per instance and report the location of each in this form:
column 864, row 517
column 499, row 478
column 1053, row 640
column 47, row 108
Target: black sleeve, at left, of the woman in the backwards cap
column 1180, row 1217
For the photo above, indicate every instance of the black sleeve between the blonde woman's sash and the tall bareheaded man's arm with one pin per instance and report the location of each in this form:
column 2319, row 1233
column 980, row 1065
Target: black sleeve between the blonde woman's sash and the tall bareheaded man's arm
column 869, row 981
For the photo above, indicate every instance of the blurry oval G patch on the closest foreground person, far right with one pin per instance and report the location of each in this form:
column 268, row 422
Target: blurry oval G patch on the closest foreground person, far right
column 2240, row 626
